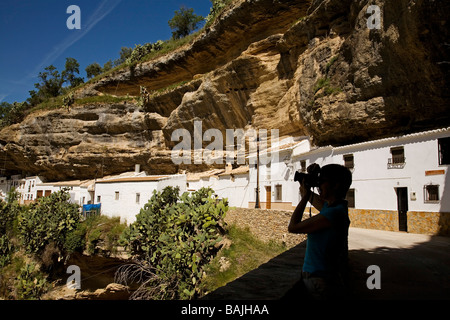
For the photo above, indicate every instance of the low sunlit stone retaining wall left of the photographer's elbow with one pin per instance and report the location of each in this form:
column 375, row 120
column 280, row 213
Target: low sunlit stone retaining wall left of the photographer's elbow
column 265, row 224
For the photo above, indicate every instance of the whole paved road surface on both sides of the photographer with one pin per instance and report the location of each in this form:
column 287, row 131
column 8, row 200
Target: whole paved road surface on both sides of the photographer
column 411, row 266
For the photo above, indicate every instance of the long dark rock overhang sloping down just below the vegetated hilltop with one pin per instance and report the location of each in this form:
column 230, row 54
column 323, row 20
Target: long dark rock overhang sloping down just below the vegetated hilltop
column 231, row 34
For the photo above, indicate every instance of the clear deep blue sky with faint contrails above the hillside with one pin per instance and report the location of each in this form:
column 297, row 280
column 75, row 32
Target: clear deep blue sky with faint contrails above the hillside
column 34, row 35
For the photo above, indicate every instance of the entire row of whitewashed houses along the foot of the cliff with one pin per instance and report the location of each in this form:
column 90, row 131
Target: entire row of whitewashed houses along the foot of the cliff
column 399, row 183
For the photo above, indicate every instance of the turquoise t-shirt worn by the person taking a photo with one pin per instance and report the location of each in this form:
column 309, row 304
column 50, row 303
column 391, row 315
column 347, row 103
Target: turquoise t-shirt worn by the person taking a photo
column 327, row 249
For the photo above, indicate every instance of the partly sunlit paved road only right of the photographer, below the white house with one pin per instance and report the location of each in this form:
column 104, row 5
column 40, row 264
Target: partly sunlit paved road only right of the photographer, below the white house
column 412, row 266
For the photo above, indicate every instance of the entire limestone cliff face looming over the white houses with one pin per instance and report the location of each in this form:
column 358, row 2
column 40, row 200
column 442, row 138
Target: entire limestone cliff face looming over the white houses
column 302, row 67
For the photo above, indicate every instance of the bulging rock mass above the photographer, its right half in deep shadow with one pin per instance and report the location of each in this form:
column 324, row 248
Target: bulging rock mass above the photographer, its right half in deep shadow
column 356, row 83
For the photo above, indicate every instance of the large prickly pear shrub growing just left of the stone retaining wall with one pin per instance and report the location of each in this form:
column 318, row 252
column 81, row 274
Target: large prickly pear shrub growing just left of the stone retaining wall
column 176, row 237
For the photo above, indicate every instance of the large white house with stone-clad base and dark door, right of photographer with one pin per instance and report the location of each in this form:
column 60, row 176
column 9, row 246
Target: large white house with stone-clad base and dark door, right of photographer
column 401, row 183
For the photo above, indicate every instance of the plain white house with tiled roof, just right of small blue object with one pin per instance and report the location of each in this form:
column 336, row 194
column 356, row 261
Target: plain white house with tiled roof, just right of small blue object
column 124, row 196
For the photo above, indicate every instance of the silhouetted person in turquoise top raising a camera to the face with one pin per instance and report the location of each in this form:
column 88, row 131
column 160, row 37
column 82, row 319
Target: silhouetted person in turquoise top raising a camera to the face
column 325, row 262
